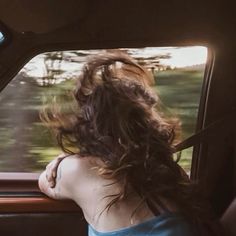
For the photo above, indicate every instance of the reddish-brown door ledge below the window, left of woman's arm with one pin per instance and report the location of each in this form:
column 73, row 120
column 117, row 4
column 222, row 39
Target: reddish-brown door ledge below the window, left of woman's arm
column 19, row 193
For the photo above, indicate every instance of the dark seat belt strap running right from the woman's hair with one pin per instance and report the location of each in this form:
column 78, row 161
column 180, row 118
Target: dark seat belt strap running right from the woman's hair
column 203, row 134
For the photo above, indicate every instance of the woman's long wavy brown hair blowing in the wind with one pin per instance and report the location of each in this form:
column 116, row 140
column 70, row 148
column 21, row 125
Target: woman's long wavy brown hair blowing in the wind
column 116, row 118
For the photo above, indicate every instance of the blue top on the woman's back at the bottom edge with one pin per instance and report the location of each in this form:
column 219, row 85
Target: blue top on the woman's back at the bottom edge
column 167, row 224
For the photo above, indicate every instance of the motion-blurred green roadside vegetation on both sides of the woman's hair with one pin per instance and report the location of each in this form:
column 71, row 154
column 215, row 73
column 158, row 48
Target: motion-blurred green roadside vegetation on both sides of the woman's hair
column 27, row 146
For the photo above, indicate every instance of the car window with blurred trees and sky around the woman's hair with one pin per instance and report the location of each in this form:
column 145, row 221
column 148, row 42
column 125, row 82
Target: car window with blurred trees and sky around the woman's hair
column 27, row 146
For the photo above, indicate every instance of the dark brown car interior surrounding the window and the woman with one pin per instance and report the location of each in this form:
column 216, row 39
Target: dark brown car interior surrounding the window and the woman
column 29, row 28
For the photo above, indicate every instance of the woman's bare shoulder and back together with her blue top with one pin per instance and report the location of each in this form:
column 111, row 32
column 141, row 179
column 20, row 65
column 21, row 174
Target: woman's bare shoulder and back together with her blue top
column 78, row 179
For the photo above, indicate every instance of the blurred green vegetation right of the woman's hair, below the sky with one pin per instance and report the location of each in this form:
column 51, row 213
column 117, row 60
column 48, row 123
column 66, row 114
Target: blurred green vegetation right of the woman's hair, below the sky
column 179, row 91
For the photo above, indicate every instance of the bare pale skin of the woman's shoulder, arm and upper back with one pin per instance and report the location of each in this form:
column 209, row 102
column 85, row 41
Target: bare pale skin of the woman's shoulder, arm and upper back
column 78, row 179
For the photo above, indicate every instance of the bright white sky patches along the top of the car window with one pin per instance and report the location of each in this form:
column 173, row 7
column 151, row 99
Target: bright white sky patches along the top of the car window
column 180, row 57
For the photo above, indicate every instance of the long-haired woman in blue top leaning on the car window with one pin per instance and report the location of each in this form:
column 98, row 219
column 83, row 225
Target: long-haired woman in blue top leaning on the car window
column 122, row 175
